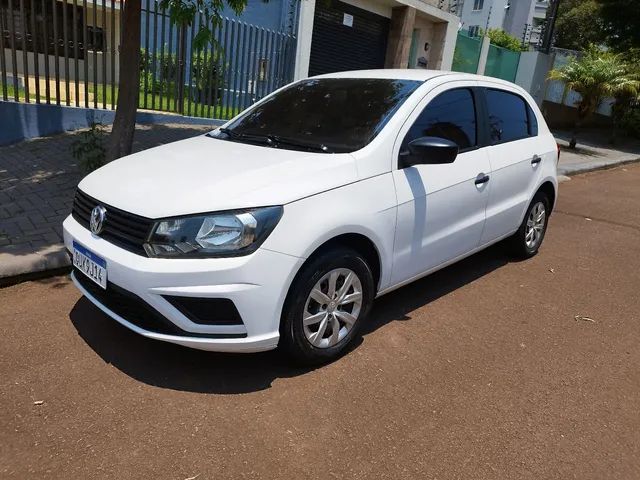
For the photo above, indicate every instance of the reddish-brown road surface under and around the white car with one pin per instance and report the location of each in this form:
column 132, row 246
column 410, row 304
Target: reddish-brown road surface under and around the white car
column 490, row 369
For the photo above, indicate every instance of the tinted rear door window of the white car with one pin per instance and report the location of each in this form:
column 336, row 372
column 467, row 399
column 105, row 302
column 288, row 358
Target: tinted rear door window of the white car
column 507, row 116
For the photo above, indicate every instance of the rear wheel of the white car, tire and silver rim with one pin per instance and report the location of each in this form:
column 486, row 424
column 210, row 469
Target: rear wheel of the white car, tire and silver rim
column 525, row 244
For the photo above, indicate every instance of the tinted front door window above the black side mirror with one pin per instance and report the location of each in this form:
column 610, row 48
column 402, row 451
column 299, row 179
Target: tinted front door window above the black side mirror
column 450, row 115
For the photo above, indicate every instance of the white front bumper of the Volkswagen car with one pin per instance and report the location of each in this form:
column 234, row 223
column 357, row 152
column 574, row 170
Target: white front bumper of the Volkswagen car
column 257, row 284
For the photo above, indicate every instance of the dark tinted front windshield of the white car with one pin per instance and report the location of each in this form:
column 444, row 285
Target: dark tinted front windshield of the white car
column 326, row 115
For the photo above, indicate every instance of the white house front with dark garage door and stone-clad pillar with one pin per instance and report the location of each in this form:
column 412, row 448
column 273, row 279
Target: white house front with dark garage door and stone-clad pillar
column 365, row 34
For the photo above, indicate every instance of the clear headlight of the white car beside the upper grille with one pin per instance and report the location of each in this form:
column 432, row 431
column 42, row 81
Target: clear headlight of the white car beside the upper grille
column 214, row 234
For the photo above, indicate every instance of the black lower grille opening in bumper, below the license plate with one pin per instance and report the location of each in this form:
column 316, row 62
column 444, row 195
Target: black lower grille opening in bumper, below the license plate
column 136, row 311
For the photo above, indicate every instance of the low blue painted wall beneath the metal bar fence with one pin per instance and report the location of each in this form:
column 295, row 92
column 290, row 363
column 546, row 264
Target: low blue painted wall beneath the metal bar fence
column 21, row 121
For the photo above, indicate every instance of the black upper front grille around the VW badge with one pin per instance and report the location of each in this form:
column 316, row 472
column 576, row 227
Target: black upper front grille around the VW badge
column 121, row 228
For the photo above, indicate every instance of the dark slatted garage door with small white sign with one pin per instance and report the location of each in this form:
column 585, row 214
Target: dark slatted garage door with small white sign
column 346, row 38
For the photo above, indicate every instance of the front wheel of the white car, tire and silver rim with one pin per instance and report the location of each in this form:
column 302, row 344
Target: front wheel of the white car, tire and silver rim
column 303, row 340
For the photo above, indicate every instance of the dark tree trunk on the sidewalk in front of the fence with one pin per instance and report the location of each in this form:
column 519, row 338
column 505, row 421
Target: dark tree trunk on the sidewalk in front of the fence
column 124, row 124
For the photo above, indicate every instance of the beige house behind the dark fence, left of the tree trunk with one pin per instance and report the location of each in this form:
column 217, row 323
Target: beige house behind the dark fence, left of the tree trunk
column 69, row 37
